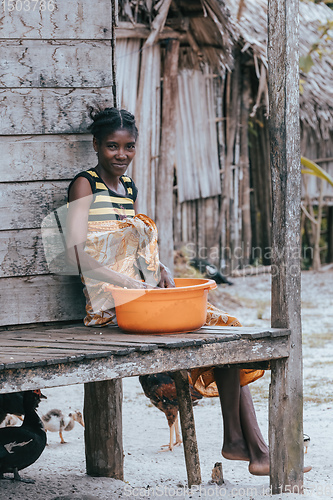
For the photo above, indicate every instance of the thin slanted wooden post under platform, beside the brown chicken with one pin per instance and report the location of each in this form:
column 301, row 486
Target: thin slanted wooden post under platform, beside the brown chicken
column 188, row 428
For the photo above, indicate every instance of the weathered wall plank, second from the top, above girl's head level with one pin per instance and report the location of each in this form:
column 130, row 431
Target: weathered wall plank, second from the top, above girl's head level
column 53, row 63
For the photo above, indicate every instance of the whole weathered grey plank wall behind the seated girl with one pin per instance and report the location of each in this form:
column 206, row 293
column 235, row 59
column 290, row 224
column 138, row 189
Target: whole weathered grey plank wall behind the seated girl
column 52, row 65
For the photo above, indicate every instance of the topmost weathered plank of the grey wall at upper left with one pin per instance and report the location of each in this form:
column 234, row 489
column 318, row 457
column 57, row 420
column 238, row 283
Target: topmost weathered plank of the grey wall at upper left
column 69, row 19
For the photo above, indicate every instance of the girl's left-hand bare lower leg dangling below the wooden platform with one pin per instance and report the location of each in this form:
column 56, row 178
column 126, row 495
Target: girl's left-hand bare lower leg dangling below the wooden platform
column 234, row 444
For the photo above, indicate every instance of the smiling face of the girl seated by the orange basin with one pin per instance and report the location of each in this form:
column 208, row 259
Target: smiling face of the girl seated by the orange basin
column 115, row 152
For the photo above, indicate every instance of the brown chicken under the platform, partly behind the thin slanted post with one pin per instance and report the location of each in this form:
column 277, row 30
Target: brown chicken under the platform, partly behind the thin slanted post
column 161, row 390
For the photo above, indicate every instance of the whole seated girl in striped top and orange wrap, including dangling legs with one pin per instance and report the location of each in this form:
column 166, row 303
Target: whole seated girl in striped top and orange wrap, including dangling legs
column 115, row 247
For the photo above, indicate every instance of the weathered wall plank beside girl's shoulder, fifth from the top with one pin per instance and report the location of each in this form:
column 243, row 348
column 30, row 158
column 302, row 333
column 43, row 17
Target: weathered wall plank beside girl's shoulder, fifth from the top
column 24, row 205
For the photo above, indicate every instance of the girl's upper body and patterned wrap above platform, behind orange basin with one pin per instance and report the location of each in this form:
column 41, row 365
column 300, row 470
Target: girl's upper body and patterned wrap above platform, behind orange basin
column 104, row 238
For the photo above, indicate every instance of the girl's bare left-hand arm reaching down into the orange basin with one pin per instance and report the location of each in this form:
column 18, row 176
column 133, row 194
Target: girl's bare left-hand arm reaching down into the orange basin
column 80, row 198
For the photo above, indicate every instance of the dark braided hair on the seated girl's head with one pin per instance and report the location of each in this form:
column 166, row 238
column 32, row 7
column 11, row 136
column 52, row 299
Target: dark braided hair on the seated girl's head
column 108, row 120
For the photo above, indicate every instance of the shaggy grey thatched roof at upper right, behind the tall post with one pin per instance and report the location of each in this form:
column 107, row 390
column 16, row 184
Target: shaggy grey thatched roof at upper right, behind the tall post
column 316, row 99
